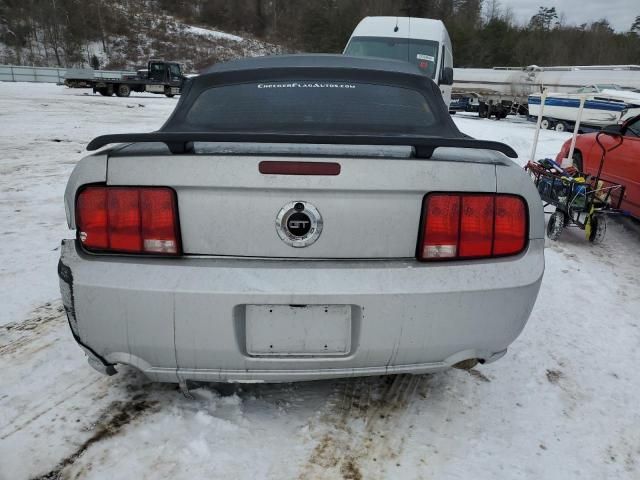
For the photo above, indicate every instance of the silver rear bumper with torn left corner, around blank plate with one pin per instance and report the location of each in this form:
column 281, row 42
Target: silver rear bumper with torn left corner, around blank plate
column 184, row 319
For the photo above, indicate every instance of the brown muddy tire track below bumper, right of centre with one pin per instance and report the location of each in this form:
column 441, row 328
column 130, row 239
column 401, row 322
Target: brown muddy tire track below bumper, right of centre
column 364, row 430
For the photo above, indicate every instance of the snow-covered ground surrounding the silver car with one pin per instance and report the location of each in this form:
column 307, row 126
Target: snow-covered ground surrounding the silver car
column 562, row 404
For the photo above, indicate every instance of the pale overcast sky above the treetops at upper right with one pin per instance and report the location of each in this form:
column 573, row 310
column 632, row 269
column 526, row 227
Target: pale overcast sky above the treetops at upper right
column 620, row 13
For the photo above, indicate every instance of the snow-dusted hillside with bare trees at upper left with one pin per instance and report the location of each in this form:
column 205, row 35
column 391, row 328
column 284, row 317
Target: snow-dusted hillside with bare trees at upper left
column 112, row 34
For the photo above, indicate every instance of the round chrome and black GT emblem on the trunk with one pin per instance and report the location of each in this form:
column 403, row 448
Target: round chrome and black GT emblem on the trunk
column 299, row 224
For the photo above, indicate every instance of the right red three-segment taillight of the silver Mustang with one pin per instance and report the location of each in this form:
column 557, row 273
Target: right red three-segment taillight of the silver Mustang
column 469, row 225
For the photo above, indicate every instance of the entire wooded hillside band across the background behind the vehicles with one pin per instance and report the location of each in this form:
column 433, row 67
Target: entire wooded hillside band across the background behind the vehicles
column 122, row 33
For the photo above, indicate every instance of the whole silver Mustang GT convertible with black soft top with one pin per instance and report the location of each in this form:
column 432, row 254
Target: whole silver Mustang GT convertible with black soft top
column 298, row 218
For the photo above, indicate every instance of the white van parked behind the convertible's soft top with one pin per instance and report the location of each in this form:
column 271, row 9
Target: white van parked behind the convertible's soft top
column 421, row 41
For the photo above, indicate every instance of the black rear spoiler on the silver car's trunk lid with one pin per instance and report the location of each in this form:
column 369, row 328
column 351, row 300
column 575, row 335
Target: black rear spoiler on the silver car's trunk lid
column 182, row 142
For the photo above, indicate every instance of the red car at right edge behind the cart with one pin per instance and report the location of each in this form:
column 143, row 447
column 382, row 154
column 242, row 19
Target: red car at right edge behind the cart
column 621, row 165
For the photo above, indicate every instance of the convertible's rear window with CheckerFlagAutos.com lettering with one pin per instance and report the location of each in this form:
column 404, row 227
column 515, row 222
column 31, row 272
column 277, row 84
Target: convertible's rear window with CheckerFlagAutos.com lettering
column 315, row 107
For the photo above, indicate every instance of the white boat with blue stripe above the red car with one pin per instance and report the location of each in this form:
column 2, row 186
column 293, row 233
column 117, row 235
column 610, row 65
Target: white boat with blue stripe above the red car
column 605, row 104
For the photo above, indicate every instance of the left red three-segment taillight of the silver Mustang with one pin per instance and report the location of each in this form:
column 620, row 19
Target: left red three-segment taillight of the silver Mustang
column 128, row 220
